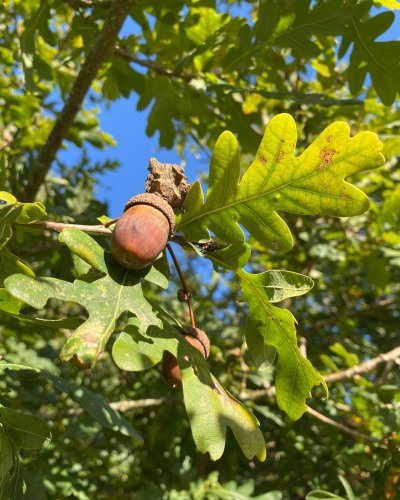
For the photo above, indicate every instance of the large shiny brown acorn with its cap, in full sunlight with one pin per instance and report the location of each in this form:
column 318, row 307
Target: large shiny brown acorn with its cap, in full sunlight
column 142, row 231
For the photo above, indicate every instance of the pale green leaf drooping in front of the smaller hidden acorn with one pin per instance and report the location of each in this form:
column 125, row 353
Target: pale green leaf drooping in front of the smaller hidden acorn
column 210, row 408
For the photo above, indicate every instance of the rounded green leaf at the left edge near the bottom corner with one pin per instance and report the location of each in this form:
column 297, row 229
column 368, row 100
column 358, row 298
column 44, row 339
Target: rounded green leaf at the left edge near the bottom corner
column 26, row 431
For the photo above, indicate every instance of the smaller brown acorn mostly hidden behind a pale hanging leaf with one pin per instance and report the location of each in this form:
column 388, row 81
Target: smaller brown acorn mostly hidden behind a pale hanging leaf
column 170, row 367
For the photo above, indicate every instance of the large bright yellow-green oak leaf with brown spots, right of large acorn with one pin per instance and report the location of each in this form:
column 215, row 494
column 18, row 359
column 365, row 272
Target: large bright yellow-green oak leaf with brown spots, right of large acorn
column 312, row 183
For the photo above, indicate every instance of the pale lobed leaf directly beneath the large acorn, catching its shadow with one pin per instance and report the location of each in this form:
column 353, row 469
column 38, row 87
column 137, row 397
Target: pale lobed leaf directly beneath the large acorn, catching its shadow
column 106, row 294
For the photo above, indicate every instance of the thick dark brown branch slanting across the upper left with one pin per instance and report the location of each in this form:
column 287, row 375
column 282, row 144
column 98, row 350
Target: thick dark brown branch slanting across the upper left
column 101, row 51
